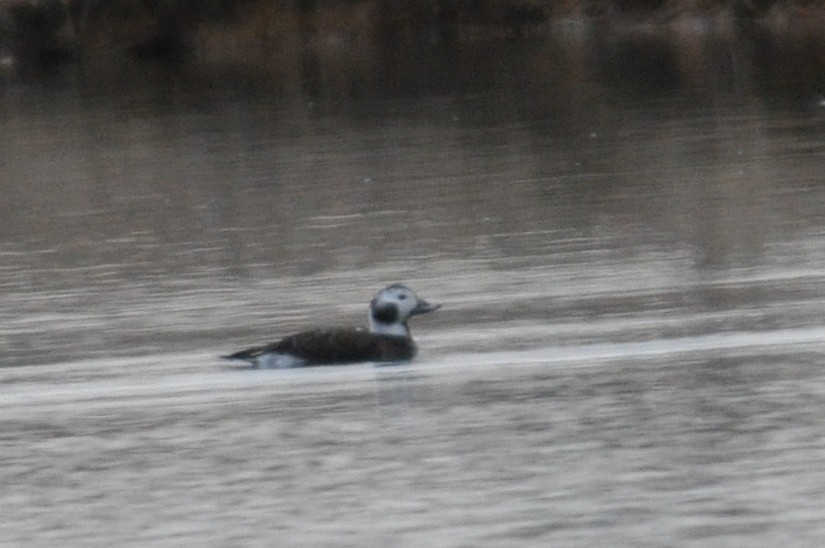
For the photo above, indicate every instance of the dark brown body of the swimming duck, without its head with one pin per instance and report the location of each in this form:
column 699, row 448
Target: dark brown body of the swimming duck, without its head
column 336, row 346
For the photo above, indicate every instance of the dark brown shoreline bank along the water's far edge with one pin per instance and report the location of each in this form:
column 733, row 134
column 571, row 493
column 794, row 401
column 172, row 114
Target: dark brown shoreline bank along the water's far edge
column 49, row 32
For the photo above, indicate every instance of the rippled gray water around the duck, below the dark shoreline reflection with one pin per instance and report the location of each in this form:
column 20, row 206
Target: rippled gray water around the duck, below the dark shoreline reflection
column 629, row 352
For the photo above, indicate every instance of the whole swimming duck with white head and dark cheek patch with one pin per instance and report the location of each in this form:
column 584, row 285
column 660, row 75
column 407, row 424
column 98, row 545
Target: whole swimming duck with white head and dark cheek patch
column 387, row 340
